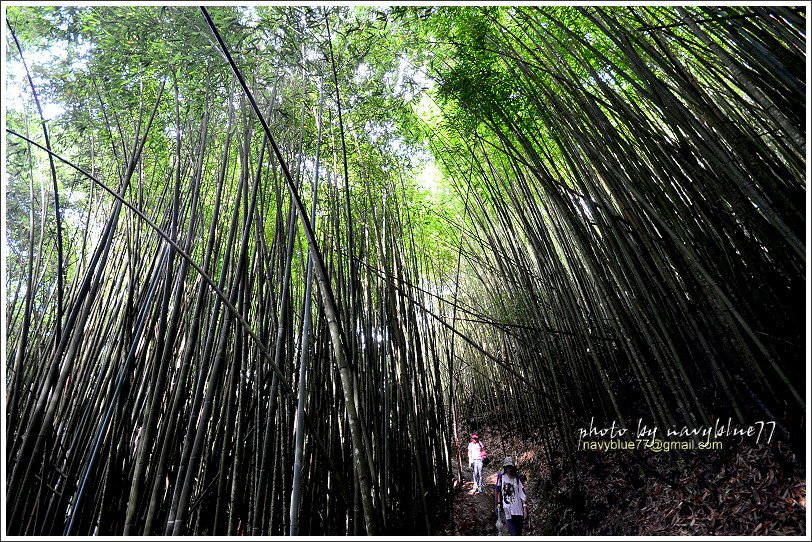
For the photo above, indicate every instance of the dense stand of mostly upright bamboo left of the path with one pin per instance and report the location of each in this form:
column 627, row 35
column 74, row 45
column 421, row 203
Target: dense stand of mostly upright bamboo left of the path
column 170, row 407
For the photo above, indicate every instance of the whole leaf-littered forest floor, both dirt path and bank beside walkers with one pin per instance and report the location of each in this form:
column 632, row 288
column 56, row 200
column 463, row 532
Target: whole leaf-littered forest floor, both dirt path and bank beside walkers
column 745, row 491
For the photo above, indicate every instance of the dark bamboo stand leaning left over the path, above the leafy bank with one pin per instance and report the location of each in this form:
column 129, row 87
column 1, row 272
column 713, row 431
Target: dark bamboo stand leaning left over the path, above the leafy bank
column 631, row 162
